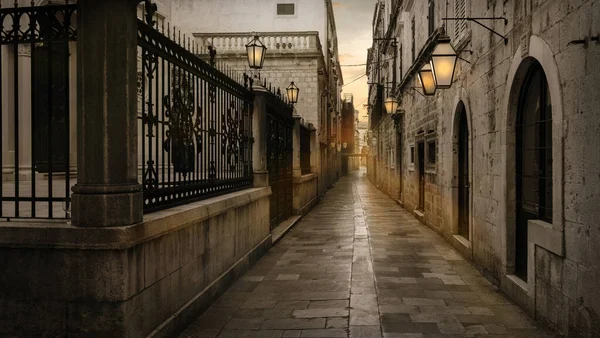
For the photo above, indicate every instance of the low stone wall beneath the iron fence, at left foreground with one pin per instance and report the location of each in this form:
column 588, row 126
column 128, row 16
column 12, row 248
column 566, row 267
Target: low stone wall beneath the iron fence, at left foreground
column 152, row 278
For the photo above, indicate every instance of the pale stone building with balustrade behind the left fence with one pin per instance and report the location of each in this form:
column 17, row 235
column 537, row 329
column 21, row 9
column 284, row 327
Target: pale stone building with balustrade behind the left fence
column 302, row 47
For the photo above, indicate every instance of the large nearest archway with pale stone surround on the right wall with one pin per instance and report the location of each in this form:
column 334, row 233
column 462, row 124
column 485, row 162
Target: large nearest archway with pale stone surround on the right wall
column 531, row 60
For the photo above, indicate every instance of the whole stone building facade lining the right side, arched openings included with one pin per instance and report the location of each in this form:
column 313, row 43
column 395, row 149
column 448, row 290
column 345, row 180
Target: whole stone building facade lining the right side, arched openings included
column 505, row 163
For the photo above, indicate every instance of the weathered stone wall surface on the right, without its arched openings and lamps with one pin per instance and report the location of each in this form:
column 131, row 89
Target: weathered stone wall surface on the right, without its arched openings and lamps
column 561, row 287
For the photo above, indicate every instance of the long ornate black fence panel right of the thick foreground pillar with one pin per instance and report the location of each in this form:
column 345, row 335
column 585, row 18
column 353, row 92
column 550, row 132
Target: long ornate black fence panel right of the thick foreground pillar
column 195, row 123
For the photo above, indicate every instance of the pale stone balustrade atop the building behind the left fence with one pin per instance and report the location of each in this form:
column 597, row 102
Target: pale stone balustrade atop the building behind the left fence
column 274, row 41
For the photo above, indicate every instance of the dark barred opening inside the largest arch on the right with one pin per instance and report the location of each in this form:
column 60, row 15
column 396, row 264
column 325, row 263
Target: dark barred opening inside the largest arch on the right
column 534, row 159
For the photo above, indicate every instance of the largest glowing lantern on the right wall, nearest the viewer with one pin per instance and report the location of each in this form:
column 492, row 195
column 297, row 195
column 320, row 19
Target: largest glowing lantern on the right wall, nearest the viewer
column 443, row 63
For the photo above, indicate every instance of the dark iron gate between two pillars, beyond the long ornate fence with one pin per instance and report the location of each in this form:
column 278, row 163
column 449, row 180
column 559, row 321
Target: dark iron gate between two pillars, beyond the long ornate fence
column 280, row 129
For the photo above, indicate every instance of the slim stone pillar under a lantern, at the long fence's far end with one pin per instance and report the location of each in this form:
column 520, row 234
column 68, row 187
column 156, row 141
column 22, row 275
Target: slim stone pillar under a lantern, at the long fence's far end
column 259, row 133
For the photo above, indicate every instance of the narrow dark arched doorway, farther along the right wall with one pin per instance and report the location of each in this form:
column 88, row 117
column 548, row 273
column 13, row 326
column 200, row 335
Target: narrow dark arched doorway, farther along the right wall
column 463, row 175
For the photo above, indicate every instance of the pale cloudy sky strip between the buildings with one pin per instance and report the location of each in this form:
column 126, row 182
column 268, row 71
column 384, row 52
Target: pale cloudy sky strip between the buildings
column 353, row 21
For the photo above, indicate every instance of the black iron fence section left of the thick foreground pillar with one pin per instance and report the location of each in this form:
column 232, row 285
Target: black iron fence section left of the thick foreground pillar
column 36, row 95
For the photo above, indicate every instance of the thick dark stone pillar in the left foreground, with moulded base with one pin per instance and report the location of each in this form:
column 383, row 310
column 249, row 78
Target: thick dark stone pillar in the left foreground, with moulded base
column 107, row 191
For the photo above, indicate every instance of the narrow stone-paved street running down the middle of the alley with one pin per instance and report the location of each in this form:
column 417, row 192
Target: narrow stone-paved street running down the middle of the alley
column 359, row 265
